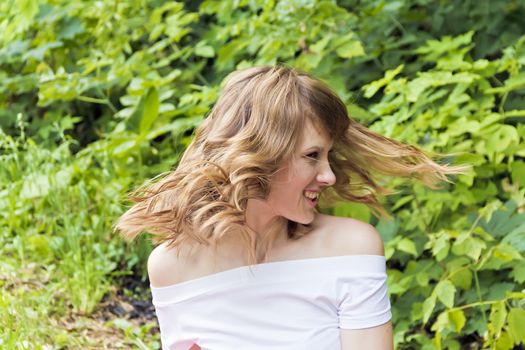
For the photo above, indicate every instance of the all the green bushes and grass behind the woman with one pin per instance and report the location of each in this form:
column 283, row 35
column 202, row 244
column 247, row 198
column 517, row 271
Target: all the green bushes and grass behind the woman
column 97, row 96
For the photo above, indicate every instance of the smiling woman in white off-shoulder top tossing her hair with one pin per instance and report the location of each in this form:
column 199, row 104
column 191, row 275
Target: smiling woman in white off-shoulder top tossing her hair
column 244, row 260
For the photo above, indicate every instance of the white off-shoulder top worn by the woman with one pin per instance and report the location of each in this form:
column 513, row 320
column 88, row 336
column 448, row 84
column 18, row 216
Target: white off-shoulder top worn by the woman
column 295, row 304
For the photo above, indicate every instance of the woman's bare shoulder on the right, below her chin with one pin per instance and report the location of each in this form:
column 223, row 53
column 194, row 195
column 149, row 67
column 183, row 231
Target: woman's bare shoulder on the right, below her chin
column 347, row 236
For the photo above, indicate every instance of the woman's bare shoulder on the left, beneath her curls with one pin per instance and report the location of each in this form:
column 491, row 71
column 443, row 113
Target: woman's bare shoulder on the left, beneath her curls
column 167, row 266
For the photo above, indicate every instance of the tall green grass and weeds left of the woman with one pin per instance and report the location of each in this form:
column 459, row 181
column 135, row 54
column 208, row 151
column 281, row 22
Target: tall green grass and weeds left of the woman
column 59, row 255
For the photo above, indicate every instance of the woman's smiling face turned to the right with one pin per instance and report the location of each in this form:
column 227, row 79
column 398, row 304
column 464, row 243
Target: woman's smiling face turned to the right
column 295, row 188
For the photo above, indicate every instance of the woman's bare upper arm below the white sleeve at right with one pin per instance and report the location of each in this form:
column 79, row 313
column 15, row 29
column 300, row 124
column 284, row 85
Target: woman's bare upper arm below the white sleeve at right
column 374, row 338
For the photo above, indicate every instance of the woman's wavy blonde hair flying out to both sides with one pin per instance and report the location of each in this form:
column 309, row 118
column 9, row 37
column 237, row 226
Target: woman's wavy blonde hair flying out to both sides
column 253, row 128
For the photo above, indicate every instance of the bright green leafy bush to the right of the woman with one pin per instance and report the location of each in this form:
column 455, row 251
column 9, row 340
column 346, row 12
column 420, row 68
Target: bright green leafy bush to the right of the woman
column 453, row 107
